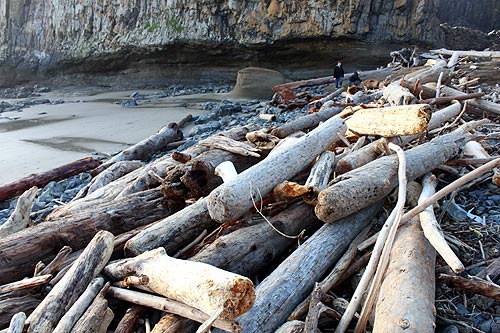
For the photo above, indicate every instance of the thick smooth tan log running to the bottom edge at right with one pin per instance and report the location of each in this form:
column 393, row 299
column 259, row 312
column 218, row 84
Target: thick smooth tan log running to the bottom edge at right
column 406, row 299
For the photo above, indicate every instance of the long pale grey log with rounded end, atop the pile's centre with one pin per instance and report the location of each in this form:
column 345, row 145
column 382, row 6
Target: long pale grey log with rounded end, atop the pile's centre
column 231, row 200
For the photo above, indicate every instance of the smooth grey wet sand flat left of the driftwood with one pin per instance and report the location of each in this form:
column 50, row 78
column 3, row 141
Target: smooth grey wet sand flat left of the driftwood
column 46, row 136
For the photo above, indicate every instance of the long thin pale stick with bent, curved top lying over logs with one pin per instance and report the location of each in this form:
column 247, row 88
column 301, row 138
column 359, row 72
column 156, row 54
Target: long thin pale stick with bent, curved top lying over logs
column 386, row 252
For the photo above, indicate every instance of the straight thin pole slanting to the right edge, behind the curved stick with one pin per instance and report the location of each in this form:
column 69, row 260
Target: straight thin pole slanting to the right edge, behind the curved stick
column 438, row 196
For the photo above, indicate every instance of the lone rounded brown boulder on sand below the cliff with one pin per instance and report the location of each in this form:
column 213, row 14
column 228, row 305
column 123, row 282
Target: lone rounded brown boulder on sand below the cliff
column 256, row 83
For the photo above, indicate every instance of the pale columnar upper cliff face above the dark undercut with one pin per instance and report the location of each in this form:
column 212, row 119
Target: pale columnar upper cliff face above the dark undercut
column 44, row 34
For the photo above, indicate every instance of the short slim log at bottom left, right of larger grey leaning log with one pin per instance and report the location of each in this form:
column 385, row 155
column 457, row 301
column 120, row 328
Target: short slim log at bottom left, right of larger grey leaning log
column 75, row 312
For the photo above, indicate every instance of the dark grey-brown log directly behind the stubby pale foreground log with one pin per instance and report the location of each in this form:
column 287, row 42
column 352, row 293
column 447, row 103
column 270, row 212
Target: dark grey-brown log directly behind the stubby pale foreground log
column 247, row 250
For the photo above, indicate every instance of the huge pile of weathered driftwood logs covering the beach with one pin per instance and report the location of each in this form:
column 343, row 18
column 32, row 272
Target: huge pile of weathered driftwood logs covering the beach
column 189, row 233
